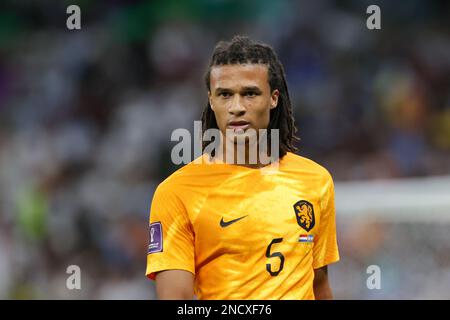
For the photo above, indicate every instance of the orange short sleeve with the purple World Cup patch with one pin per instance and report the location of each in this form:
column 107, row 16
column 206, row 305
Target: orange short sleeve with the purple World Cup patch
column 171, row 237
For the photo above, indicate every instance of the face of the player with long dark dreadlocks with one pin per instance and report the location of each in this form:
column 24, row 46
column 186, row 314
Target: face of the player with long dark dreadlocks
column 240, row 97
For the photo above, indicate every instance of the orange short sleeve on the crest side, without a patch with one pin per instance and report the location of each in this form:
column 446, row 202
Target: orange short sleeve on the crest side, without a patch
column 325, row 250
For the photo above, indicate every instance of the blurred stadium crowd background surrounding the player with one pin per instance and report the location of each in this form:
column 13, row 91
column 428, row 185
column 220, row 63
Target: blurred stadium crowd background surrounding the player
column 86, row 118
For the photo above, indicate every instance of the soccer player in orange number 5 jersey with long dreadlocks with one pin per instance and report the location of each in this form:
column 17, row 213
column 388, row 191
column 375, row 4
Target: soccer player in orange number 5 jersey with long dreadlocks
column 222, row 230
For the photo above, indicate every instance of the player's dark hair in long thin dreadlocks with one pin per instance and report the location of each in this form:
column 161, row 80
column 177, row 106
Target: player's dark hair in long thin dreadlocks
column 242, row 50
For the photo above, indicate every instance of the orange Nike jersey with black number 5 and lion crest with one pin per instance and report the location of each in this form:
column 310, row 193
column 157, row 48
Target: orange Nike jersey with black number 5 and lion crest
column 244, row 234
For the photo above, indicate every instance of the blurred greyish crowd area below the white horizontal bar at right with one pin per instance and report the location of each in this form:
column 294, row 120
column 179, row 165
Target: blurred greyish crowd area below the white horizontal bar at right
column 412, row 259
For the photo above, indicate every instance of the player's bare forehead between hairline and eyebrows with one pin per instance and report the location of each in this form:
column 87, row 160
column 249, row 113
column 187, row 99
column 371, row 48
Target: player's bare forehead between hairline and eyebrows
column 239, row 75
